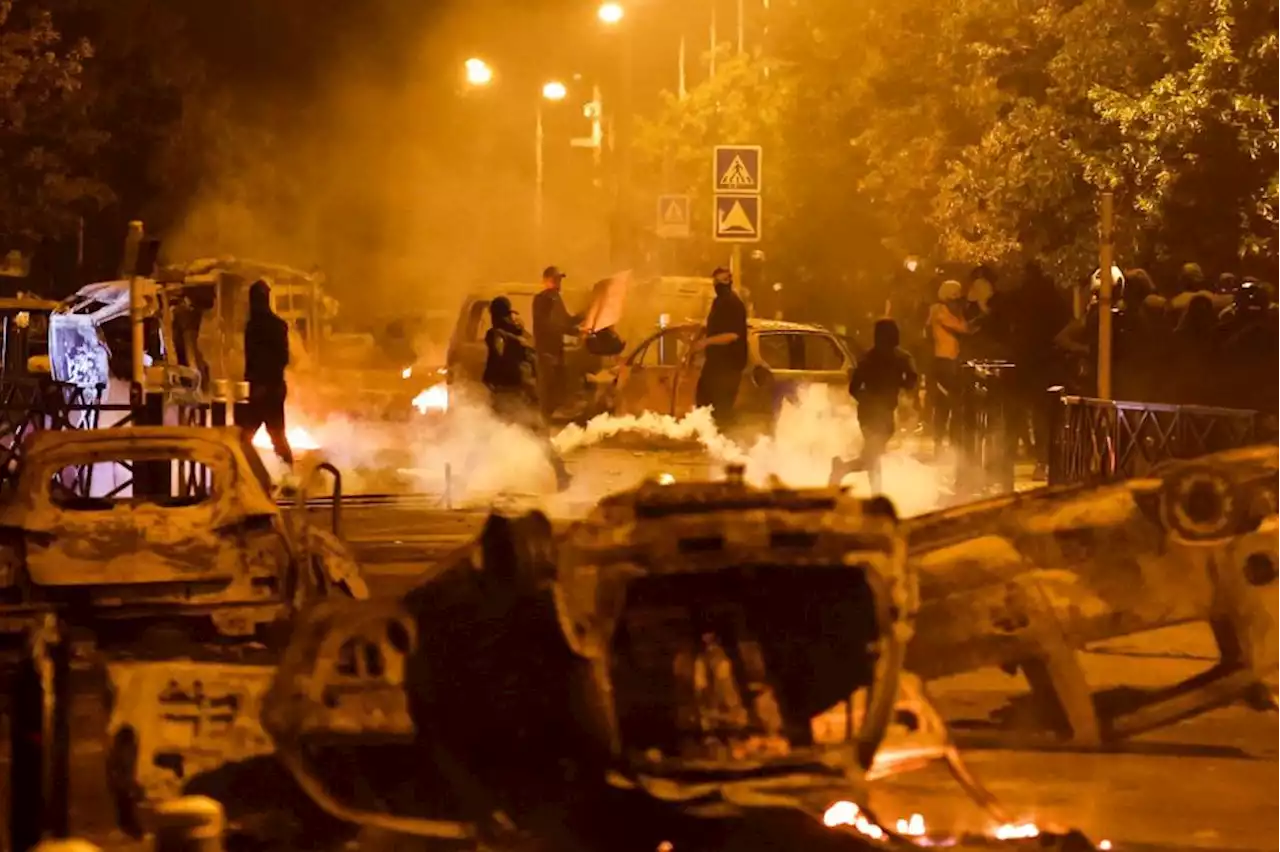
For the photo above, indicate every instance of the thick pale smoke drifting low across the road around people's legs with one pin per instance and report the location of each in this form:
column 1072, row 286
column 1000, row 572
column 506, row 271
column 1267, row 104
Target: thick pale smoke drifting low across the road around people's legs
column 478, row 460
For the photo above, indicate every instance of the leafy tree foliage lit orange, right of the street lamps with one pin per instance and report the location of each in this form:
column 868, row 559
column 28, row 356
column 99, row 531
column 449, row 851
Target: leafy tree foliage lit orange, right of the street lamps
column 986, row 131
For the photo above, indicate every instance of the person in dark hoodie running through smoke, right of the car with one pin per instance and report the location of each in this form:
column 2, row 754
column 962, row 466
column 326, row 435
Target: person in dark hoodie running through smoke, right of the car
column 883, row 374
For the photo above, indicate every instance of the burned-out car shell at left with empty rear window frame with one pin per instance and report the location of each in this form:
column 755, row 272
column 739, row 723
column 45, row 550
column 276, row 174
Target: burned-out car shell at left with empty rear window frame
column 203, row 537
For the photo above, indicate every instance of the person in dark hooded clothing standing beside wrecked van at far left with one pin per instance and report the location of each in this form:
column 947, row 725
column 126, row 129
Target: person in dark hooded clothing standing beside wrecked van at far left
column 267, row 355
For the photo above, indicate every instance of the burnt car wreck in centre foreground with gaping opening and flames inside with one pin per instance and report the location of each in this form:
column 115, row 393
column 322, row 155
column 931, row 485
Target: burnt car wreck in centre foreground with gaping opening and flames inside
column 648, row 681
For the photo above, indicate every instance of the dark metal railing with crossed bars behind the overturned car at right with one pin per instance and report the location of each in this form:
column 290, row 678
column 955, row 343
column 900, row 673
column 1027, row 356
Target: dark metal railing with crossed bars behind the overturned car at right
column 1100, row 441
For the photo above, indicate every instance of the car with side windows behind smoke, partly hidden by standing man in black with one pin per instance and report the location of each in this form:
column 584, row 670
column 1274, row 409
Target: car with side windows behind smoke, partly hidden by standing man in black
column 660, row 375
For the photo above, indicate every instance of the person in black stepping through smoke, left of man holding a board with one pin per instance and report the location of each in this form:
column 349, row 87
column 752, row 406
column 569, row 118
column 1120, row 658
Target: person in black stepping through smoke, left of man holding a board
column 510, row 374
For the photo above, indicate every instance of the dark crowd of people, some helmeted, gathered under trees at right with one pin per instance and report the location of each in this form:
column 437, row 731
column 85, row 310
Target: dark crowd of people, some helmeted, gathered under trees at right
column 1187, row 341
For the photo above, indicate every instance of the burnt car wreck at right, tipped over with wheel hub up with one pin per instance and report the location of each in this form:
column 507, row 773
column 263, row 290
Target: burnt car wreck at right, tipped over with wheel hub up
column 1030, row 583
